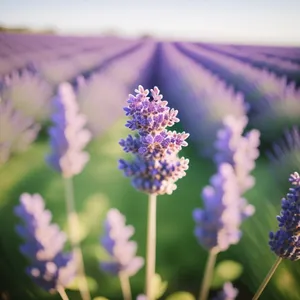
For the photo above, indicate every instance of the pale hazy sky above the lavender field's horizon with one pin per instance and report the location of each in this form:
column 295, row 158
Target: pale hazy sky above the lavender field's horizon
column 253, row 21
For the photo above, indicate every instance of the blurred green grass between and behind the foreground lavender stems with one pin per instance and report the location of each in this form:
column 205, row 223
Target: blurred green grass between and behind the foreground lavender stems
column 180, row 260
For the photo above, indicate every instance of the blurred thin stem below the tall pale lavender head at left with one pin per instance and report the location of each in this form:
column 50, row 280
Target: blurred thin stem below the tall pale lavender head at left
column 73, row 224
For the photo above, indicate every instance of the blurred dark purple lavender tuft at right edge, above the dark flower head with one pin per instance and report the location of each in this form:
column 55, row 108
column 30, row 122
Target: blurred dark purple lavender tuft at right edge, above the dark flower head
column 285, row 154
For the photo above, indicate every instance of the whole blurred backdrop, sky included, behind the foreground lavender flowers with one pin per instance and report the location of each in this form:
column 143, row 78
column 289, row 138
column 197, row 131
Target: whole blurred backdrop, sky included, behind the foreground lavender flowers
column 209, row 59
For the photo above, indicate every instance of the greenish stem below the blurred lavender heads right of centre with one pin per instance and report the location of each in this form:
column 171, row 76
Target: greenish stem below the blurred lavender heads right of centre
column 209, row 270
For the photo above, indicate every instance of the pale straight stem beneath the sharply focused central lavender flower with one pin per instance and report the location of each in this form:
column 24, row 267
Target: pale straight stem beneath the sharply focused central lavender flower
column 151, row 244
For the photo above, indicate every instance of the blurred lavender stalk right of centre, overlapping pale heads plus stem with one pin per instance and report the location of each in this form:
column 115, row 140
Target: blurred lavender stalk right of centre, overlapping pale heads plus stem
column 217, row 225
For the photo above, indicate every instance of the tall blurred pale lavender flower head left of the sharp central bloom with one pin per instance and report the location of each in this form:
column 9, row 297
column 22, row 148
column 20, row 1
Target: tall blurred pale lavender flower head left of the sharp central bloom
column 68, row 138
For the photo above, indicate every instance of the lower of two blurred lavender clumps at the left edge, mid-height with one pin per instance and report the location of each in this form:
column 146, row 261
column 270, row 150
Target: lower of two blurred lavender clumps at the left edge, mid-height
column 17, row 131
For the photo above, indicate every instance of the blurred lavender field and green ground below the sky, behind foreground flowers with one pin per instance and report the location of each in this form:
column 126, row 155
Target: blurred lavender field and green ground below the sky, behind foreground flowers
column 206, row 83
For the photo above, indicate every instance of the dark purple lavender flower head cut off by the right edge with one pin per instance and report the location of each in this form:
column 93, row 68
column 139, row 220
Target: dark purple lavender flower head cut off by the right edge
column 285, row 242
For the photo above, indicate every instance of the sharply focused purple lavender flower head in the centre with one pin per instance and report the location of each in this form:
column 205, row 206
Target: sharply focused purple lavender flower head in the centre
column 156, row 166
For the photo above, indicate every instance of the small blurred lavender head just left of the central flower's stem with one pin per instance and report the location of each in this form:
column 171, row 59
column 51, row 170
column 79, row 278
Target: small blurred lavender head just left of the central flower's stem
column 116, row 243
